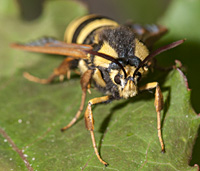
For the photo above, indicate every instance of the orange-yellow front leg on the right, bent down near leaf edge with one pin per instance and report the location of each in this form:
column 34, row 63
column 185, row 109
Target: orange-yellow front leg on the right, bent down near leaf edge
column 158, row 105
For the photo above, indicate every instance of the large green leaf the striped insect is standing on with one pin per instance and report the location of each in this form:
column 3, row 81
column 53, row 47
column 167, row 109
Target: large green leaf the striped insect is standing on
column 32, row 114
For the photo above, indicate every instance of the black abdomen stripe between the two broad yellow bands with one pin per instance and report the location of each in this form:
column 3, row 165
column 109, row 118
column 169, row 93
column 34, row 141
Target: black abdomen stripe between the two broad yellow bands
column 83, row 24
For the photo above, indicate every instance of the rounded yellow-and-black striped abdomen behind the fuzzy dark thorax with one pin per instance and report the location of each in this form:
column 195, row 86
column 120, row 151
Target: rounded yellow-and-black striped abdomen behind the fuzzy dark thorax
column 79, row 30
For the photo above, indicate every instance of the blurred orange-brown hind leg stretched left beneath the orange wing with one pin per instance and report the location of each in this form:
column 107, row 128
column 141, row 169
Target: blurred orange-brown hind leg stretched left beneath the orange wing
column 61, row 71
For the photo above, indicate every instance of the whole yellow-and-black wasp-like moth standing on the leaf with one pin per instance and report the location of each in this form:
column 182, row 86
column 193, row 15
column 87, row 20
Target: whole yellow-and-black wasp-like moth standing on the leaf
column 112, row 57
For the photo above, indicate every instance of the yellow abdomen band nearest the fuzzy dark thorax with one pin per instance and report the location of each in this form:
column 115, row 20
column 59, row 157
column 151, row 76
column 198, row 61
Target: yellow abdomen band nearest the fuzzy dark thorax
column 92, row 26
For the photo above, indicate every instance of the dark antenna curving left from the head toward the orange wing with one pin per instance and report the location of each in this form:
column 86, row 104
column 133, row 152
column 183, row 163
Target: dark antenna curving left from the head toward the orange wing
column 110, row 58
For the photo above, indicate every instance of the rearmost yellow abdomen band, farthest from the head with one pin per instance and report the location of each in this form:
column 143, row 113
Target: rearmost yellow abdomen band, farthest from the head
column 70, row 30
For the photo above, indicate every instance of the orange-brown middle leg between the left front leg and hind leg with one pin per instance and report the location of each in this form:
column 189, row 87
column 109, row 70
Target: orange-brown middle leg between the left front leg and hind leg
column 85, row 81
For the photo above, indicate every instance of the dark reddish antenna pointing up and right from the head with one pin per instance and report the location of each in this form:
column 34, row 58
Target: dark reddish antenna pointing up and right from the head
column 157, row 52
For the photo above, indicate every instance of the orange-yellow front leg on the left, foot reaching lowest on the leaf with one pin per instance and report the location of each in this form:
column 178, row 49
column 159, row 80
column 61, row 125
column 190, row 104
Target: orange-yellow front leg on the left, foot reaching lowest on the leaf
column 89, row 122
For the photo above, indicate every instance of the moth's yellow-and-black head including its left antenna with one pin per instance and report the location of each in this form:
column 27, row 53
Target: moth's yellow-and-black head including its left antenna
column 121, row 72
